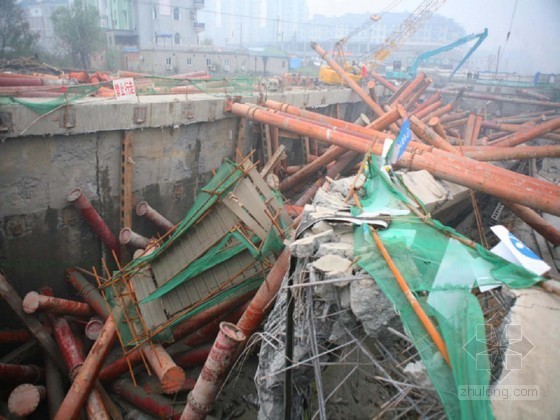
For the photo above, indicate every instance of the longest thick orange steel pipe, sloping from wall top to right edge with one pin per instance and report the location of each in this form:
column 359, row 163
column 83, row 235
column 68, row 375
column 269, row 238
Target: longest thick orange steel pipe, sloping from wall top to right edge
column 479, row 176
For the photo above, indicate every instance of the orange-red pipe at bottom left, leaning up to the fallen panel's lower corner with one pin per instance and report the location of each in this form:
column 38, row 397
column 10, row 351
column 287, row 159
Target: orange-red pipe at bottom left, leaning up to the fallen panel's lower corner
column 87, row 375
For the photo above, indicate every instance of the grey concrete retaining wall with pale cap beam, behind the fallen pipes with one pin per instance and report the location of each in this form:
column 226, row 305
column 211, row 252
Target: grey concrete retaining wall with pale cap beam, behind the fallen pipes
column 175, row 149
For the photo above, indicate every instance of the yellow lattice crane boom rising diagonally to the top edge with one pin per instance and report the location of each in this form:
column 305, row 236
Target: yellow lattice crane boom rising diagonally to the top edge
column 408, row 27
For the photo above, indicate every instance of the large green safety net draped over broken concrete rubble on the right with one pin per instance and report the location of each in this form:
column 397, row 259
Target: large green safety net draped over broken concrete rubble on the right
column 441, row 271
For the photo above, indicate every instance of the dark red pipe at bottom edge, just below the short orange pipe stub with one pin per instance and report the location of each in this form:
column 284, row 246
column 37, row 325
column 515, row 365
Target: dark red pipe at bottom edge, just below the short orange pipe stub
column 155, row 404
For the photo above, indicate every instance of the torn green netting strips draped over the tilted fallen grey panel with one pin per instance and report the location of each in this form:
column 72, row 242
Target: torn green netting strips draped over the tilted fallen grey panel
column 232, row 244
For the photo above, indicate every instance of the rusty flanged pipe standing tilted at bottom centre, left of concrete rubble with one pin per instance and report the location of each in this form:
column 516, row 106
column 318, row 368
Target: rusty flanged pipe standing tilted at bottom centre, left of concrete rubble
column 221, row 358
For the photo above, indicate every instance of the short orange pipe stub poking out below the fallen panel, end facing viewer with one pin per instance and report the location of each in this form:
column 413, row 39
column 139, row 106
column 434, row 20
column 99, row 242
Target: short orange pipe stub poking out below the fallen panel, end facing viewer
column 169, row 374
